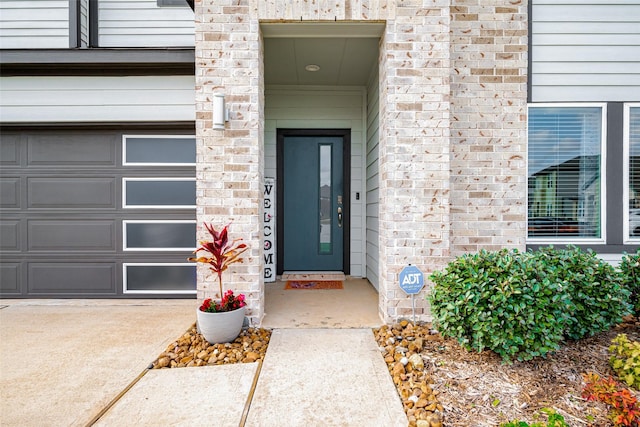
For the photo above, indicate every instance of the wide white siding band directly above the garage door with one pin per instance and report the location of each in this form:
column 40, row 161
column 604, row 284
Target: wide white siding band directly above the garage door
column 97, row 99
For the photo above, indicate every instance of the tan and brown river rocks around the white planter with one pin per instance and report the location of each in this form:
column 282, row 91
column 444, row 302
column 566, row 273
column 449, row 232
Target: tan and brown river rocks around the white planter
column 191, row 349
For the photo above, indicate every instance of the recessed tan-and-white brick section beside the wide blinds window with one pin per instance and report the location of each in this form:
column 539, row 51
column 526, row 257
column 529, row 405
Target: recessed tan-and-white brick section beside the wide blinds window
column 488, row 125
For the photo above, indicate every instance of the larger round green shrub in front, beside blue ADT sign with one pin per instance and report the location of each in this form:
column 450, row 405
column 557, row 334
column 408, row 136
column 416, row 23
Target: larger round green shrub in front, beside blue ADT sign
column 502, row 301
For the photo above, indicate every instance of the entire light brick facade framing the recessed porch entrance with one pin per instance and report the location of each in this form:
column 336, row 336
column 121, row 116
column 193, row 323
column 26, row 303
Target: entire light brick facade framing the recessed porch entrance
column 452, row 137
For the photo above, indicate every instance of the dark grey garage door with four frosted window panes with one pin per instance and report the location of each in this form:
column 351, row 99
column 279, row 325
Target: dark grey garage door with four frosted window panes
column 96, row 214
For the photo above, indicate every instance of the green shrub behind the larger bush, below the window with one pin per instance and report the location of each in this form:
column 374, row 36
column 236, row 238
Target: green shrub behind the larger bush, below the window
column 599, row 300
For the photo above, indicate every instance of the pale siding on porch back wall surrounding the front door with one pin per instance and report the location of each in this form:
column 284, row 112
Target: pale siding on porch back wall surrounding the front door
column 323, row 108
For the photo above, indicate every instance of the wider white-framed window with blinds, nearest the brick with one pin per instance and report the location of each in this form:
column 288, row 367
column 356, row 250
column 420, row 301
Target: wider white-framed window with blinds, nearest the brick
column 565, row 171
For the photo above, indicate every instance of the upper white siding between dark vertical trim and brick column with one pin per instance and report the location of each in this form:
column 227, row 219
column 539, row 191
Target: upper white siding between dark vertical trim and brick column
column 141, row 23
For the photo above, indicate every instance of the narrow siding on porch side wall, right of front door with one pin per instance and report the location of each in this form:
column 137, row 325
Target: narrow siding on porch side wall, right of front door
column 373, row 198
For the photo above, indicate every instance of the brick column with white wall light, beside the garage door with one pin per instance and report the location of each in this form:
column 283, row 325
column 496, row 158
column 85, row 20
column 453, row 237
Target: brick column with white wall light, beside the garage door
column 230, row 162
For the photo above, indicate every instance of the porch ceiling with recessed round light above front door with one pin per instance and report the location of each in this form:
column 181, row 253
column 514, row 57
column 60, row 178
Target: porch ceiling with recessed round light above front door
column 342, row 60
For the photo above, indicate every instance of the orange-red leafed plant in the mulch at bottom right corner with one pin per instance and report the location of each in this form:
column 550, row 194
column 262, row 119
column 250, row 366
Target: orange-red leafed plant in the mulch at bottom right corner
column 624, row 405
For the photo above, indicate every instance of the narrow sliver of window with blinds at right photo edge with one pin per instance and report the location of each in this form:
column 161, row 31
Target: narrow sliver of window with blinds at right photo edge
column 633, row 171
